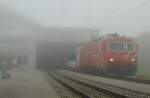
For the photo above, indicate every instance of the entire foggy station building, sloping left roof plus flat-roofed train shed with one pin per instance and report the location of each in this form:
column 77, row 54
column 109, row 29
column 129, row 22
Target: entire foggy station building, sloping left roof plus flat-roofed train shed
column 34, row 46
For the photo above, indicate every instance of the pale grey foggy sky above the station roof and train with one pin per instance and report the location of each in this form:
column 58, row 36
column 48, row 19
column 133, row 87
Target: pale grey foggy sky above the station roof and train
column 122, row 16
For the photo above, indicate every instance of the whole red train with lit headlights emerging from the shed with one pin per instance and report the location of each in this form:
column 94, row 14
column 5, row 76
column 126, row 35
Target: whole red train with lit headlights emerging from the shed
column 111, row 53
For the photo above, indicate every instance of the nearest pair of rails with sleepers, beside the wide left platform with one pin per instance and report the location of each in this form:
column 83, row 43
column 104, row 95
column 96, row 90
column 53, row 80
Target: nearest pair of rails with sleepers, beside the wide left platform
column 80, row 89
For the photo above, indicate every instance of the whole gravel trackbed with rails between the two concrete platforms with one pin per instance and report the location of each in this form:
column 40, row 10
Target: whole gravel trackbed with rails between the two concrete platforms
column 85, row 88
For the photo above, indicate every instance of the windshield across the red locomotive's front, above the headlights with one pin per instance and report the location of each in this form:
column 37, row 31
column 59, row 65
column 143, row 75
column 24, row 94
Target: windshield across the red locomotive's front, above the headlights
column 116, row 46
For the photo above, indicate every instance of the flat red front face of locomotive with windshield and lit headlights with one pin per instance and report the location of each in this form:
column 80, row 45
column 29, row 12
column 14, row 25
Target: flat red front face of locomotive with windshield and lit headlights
column 121, row 55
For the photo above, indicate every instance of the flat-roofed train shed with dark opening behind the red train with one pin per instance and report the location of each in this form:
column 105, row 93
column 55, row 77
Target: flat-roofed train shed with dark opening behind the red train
column 53, row 45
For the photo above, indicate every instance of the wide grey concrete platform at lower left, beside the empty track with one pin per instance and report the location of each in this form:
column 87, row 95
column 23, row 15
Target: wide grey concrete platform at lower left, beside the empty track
column 26, row 84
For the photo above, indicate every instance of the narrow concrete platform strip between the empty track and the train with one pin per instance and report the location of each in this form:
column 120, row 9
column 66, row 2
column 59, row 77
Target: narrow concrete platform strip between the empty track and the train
column 144, row 88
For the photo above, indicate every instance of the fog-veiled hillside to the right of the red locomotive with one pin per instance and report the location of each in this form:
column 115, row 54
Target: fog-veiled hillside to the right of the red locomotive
column 144, row 54
